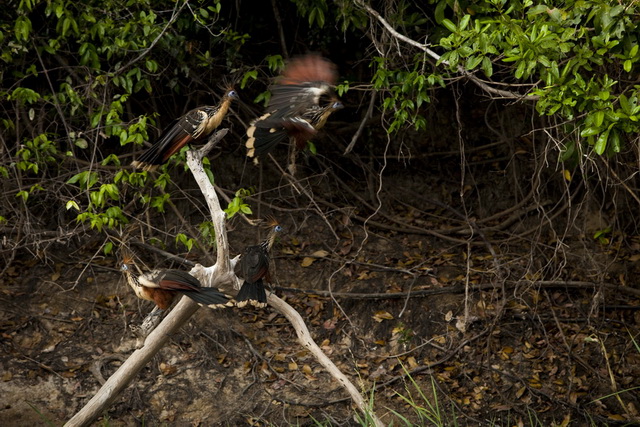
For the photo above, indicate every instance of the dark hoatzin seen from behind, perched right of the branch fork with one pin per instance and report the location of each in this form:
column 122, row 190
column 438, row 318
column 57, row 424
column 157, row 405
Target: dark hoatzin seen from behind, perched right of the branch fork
column 253, row 267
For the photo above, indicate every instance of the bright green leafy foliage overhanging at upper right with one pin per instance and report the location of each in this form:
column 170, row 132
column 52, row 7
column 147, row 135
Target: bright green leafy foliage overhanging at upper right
column 576, row 60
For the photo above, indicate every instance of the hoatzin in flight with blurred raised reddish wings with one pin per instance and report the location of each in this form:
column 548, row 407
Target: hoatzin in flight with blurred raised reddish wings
column 295, row 109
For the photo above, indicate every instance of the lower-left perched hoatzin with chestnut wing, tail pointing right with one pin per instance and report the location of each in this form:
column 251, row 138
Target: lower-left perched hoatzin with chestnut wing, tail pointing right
column 161, row 287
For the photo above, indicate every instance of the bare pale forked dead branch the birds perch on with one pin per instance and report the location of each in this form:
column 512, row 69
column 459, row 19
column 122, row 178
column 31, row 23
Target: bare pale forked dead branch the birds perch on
column 219, row 275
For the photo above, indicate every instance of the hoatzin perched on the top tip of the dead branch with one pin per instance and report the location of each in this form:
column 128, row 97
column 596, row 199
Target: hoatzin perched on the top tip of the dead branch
column 194, row 126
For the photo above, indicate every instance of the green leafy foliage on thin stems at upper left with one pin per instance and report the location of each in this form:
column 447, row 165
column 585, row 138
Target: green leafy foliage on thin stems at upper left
column 84, row 83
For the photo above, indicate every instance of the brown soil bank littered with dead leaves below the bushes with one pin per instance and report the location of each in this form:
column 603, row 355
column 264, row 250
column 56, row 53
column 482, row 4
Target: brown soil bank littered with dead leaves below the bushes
column 481, row 331
